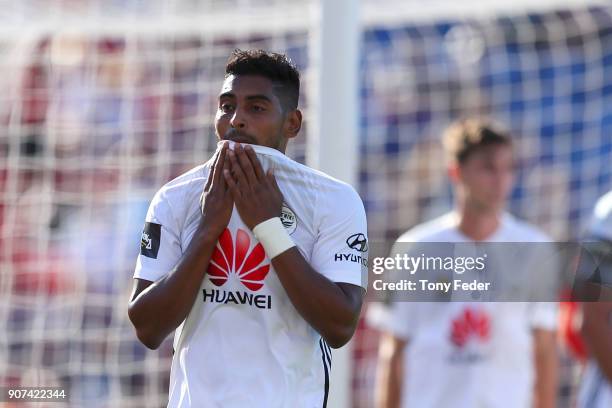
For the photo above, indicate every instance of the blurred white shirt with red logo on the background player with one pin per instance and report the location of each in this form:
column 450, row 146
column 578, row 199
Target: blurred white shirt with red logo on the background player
column 444, row 366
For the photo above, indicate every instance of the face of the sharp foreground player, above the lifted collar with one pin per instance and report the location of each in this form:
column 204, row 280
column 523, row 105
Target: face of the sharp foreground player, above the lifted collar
column 248, row 111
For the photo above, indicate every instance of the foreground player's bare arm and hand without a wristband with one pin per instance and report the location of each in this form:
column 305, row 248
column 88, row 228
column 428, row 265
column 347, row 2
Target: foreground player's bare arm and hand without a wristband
column 156, row 309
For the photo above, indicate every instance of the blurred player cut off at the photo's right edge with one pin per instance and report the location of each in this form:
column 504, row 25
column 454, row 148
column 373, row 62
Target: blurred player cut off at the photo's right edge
column 596, row 387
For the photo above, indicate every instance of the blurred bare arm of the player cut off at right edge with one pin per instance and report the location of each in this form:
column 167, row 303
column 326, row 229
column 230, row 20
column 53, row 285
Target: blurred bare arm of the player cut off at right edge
column 597, row 332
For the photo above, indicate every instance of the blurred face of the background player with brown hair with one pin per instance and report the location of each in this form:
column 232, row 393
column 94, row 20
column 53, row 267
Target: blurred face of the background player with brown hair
column 486, row 177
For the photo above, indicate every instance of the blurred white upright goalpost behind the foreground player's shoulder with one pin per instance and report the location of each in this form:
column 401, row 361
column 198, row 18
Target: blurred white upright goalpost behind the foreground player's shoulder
column 333, row 140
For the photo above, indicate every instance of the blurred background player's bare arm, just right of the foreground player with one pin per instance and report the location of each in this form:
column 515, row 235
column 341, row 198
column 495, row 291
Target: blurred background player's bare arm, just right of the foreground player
column 390, row 371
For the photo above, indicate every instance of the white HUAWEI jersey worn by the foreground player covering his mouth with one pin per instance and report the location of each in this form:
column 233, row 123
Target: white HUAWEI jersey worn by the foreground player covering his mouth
column 243, row 343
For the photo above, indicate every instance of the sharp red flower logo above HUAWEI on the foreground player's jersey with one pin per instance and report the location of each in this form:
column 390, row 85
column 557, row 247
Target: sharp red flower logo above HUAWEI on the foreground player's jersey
column 235, row 257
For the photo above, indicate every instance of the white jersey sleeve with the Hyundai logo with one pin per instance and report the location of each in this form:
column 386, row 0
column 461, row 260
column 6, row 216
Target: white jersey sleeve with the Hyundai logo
column 340, row 252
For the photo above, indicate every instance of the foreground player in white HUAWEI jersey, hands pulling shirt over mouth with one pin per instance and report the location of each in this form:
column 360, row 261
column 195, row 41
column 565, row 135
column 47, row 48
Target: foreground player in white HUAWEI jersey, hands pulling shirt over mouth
column 257, row 262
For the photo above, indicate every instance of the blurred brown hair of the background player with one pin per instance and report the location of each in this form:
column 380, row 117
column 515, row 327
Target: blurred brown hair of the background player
column 466, row 136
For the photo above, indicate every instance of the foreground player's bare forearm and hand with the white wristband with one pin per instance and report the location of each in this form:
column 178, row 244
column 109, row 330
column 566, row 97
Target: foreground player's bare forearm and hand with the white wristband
column 330, row 308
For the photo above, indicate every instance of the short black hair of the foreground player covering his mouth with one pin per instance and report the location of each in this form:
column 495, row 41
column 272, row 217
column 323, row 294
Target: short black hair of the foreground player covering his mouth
column 276, row 67
